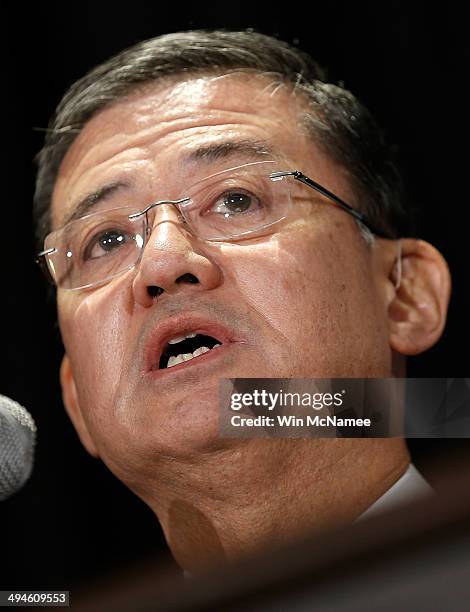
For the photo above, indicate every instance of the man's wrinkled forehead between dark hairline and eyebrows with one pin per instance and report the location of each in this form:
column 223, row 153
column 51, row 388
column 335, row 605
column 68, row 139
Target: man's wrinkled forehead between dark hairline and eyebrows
column 146, row 136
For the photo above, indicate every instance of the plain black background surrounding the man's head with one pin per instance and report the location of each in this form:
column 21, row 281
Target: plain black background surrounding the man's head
column 409, row 64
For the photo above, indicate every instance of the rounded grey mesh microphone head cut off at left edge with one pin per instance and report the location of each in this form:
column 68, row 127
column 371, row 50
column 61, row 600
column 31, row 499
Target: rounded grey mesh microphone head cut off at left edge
column 17, row 441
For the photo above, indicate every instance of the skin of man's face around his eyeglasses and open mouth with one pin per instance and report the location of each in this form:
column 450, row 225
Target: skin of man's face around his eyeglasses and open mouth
column 304, row 301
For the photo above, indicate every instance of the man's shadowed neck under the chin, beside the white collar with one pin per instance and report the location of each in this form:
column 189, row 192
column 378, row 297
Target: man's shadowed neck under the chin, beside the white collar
column 236, row 502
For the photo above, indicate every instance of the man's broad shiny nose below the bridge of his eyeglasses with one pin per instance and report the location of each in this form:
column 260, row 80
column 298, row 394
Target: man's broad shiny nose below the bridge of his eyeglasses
column 173, row 260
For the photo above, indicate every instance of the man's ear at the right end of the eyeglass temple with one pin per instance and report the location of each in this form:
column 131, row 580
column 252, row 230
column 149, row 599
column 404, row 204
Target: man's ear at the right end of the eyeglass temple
column 418, row 307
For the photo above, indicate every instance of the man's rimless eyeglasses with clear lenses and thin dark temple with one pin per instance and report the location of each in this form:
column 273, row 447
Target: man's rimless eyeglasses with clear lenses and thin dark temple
column 231, row 205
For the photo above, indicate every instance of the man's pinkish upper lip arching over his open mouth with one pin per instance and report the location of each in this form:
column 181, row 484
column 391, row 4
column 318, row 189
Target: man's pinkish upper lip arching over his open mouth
column 179, row 325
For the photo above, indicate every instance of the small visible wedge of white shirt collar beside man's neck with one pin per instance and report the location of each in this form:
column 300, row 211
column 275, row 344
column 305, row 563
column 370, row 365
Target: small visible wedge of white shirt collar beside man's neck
column 411, row 486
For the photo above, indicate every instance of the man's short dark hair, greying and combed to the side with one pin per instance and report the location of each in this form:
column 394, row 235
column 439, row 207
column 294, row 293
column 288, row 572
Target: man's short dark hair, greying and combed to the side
column 337, row 121
